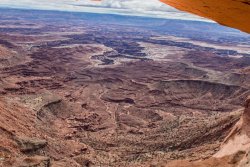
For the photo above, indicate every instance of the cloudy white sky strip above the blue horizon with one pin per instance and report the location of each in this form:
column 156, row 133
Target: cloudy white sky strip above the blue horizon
column 149, row 8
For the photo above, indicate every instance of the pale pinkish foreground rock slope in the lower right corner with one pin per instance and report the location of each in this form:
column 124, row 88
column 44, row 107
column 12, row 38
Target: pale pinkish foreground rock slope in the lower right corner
column 234, row 152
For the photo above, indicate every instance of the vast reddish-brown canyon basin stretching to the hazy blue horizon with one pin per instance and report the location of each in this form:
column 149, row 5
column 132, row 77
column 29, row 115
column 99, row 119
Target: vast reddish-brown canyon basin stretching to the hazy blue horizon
column 103, row 90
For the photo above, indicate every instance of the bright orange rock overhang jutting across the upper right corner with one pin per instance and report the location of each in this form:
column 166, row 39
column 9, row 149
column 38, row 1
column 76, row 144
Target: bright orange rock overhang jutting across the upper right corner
column 232, row 13
